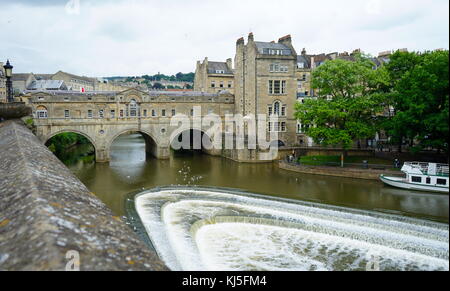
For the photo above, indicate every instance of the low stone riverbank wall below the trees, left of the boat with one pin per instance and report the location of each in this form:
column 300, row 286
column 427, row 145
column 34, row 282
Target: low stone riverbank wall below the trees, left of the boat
column 366, row 174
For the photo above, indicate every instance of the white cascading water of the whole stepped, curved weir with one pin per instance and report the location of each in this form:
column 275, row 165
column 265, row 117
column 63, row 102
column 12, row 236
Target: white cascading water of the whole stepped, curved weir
column 209, row 229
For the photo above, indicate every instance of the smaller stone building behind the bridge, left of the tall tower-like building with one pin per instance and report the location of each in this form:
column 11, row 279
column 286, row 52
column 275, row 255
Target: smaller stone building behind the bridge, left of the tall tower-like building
column 214, row 77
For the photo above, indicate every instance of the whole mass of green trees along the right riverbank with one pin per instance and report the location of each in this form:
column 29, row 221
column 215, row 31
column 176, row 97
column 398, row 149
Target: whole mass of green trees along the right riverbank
column 406, row 99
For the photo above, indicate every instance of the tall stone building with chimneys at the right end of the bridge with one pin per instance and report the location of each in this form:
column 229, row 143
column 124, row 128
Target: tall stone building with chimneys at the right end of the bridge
column 266, row 83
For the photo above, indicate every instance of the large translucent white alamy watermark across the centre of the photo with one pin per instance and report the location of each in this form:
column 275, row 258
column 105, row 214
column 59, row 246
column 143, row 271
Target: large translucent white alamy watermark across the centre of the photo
column 235, row 132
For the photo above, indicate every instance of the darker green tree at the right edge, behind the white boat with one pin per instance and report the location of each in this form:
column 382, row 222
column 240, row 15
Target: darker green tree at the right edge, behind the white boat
column 419, row 95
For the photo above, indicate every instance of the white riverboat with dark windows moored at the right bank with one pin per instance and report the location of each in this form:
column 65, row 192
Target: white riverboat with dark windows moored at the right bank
column 428, row 177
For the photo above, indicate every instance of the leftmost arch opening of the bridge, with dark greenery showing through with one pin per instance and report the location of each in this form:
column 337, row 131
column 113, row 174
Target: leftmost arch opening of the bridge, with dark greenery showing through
column 71, row 147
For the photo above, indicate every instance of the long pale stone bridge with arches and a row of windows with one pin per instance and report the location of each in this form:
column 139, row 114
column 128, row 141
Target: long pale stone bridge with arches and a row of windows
column 101, row 117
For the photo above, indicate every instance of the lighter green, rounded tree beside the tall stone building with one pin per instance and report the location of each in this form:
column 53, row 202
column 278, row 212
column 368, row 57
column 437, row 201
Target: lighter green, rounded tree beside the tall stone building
column 348, row 102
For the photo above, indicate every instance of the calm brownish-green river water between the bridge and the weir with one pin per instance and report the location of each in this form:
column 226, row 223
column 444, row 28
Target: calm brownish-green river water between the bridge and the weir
column 129, row 171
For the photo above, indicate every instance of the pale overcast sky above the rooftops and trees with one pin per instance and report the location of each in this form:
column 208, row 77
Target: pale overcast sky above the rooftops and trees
column 136, row 37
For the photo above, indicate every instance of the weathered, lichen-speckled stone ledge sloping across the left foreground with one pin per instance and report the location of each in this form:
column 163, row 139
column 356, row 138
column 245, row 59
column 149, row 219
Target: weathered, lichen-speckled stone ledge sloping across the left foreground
column 45, row 211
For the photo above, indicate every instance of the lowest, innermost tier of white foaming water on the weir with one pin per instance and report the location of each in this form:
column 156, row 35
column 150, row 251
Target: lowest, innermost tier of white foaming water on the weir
column 241, row 247
